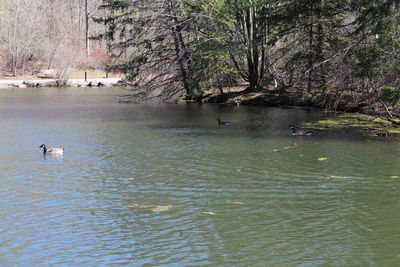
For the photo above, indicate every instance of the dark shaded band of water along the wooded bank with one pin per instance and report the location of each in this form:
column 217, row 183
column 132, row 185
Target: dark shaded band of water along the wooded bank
column 249, row 122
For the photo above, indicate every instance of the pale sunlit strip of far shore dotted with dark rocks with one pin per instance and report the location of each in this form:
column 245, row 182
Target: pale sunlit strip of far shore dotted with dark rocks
column 32, row 83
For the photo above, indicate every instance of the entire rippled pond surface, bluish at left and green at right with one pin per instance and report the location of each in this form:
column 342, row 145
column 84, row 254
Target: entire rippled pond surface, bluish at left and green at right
column 158, row 184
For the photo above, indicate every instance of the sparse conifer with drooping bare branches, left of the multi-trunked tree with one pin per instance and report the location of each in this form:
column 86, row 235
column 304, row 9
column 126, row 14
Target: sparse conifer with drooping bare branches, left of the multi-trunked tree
column 154, row 36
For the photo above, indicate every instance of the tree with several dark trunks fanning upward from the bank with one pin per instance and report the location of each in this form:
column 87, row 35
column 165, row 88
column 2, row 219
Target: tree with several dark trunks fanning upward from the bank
column 247, row 33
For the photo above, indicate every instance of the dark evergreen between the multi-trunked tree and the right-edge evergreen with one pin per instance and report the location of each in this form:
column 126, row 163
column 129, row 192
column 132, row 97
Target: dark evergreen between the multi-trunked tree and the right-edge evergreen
column 315, row 34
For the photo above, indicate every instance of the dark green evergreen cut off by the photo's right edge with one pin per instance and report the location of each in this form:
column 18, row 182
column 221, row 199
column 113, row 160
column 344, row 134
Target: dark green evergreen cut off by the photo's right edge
column 377, row 55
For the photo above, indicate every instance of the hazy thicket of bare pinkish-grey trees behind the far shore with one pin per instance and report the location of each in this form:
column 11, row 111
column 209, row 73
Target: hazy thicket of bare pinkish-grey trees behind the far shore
column 40, row 34
